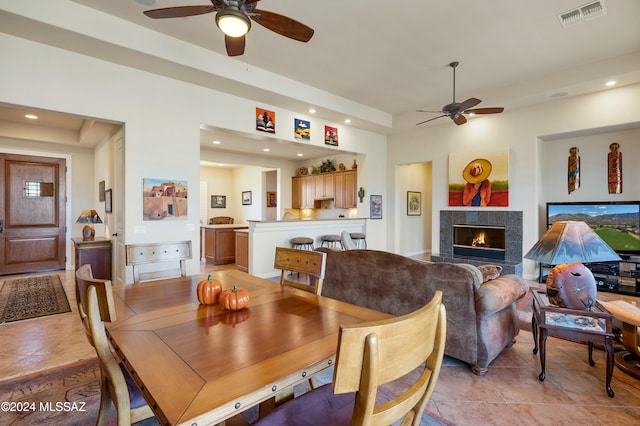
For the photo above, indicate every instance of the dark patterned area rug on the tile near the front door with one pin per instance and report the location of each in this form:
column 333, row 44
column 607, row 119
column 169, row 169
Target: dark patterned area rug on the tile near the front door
column 32, row 297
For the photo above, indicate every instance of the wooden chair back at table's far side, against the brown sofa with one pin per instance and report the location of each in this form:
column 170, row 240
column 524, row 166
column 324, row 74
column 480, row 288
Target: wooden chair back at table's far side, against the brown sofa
column 310, row 263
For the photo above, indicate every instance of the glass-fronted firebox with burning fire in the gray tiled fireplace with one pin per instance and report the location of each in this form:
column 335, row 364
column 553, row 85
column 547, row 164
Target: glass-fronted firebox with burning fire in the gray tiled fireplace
column 479, row 241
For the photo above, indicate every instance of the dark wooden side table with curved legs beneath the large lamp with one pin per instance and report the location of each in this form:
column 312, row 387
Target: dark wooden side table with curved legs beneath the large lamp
column 594, row 326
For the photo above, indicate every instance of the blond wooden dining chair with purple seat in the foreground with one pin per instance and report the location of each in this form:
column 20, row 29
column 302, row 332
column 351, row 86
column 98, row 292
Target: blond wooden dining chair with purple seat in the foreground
column 370, row 355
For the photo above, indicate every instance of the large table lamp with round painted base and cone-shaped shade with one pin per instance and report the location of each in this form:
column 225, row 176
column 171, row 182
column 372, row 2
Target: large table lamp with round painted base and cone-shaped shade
column 567, row 245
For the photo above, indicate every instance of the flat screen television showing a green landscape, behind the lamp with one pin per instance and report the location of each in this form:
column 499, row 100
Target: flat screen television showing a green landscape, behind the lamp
column 616, row 222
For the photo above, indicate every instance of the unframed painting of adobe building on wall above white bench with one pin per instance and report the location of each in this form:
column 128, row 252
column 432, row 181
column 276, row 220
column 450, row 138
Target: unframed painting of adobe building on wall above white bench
column 164, row 199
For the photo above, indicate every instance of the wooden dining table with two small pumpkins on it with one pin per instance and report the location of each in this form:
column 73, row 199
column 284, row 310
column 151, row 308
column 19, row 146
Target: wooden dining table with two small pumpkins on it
column 200, row 364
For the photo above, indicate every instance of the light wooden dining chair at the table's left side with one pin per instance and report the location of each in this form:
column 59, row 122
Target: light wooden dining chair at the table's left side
column 96, row 306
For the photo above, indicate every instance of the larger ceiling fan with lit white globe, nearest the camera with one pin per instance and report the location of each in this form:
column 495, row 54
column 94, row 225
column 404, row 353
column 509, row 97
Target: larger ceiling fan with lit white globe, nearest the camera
column 234, row 18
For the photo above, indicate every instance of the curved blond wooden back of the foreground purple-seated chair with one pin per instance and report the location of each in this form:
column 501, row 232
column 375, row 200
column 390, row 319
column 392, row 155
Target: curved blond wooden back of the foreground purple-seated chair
column 371, row 354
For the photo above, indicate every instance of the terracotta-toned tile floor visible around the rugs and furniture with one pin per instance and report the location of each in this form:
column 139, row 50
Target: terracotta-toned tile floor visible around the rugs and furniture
column 510, row 393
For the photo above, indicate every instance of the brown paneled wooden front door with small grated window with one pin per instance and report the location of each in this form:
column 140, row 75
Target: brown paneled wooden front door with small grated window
column 32, row 213
